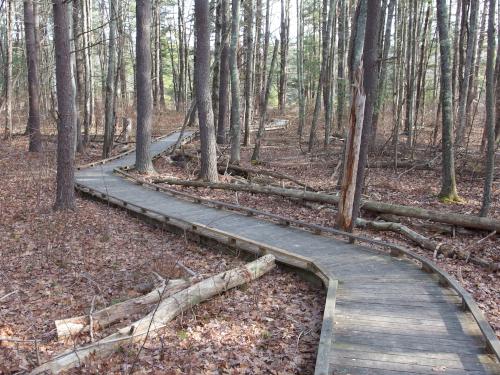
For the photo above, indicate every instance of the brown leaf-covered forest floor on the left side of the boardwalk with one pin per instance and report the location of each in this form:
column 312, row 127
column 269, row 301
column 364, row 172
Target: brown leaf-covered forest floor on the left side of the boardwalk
column 53, row 264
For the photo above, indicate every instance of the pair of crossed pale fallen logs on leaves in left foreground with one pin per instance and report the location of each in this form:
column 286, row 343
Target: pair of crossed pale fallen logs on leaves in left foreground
column 165, row 303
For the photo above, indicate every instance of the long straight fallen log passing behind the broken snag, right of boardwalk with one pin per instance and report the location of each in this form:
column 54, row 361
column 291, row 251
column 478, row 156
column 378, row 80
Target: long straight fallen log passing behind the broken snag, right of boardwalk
column 466, row 221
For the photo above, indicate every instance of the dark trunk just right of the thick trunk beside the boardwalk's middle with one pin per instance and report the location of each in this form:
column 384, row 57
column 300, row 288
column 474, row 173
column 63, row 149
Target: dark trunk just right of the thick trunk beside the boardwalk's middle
column 224, row 75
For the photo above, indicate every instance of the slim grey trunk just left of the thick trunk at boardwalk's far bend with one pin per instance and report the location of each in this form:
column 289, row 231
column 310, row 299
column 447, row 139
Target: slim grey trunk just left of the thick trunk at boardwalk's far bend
column 109, row 126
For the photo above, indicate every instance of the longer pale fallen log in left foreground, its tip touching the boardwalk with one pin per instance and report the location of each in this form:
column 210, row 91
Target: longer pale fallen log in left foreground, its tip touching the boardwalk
column 165, row 311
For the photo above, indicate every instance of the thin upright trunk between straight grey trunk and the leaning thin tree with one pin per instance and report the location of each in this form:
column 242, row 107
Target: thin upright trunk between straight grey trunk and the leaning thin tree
column 249, row 77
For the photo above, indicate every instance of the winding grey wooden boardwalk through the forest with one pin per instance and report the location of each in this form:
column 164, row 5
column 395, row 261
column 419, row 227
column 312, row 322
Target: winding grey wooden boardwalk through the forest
column 389, row 316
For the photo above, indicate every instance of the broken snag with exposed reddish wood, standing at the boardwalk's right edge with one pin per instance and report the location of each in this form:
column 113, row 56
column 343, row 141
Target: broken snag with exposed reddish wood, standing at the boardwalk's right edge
column 353, row 145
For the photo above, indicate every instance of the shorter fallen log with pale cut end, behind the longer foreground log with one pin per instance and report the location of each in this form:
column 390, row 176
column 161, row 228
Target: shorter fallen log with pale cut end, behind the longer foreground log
column 112, row 314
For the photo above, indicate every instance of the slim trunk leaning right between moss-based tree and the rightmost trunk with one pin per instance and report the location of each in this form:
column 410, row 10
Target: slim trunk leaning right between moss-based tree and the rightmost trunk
column 464, row 87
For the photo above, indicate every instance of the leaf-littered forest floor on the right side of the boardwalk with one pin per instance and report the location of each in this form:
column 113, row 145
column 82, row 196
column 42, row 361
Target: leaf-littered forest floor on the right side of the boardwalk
column 407, row 186
